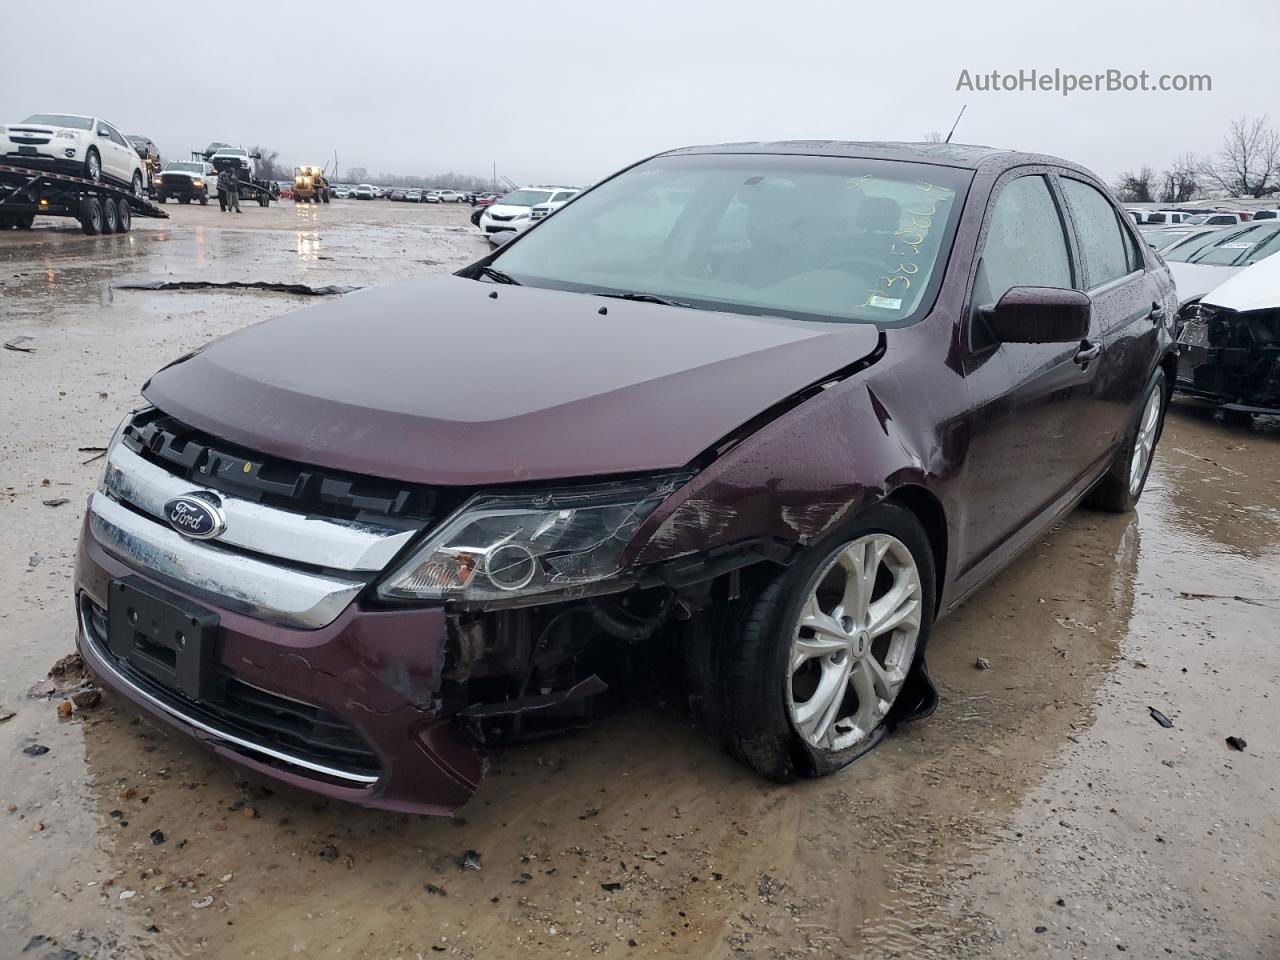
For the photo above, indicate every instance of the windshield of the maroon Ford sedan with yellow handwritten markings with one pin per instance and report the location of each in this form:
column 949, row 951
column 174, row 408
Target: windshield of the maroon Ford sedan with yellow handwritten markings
column 820, row 239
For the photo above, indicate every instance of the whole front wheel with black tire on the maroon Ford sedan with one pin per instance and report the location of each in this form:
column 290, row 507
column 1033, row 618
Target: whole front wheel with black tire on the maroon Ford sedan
column 761, row 702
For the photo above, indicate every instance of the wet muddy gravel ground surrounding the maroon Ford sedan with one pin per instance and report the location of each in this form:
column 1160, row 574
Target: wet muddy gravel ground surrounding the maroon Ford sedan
column 1043, row 812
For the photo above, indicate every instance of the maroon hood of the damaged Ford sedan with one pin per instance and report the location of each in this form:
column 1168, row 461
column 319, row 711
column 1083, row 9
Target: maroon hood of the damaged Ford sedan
column 455, row 382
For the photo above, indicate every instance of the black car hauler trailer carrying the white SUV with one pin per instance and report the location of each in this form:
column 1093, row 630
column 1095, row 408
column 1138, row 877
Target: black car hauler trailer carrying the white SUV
column 99, row 208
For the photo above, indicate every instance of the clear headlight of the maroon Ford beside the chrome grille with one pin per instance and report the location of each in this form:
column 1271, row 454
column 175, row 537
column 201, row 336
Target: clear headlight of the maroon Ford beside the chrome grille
column 527, row 548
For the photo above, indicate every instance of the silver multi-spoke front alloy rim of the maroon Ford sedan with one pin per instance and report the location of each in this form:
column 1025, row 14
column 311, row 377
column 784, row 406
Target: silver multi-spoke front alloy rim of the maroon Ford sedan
column 854, row 642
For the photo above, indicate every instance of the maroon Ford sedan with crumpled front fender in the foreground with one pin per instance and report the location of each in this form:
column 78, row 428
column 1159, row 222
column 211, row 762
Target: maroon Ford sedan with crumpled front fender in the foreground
column 766, row 410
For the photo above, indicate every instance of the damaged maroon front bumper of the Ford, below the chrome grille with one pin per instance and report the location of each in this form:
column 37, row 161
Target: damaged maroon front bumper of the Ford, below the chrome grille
column 369, row 679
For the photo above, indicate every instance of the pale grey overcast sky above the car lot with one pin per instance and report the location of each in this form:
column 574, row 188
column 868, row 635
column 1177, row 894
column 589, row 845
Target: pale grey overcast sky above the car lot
column 561, row 92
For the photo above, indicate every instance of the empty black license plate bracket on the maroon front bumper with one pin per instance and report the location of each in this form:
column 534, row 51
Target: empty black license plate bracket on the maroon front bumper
column 166, row 637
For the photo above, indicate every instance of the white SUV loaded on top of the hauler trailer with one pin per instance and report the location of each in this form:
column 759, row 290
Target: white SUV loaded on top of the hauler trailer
column 83, row 147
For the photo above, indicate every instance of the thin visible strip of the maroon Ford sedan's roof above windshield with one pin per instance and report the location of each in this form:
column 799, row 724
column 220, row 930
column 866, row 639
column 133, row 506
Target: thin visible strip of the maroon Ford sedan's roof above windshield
column 967, row 157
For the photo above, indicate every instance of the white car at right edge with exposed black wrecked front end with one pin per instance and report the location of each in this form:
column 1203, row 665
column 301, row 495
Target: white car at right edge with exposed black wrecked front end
column 1229, row 344
